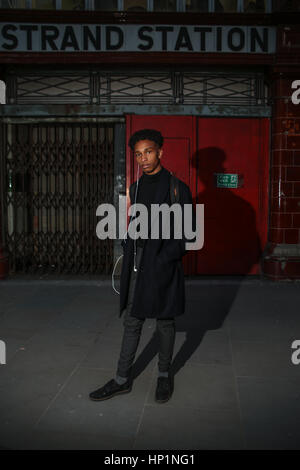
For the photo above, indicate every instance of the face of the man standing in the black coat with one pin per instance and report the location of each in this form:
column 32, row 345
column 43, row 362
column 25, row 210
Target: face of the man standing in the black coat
column 148, row 156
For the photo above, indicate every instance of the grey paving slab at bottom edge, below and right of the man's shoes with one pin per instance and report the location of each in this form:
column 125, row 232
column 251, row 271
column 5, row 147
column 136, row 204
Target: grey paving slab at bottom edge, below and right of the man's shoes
column 187, row 428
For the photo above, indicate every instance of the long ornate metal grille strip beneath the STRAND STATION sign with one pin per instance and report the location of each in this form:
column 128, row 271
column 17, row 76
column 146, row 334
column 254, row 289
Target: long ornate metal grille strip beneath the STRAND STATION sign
column 139, row 88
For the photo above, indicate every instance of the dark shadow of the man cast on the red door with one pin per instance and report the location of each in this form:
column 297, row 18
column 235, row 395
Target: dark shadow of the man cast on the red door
column 231, row 241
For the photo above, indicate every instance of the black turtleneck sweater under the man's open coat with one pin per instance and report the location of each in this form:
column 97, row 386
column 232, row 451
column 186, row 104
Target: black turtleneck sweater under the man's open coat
column 147, row 189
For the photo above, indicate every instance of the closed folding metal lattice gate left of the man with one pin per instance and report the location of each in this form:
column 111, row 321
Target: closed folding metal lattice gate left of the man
column 55, row 176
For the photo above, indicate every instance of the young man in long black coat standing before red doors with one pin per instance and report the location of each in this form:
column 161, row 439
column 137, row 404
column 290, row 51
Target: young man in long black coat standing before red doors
column 152, row 278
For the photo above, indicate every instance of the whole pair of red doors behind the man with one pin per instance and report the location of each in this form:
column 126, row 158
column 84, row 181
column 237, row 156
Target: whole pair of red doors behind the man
column 235, row 220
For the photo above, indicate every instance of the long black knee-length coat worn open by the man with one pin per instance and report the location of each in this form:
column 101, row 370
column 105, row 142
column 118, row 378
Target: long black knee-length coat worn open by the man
column 159, row 290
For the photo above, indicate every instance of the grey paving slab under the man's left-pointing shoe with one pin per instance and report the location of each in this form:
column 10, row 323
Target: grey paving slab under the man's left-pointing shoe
column 114, row 421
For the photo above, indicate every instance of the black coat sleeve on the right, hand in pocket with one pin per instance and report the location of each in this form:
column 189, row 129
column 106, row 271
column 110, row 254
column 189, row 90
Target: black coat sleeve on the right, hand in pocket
column 174, row 250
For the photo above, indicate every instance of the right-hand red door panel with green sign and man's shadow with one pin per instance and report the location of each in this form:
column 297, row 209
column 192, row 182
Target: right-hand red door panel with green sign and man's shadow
column 235, row 220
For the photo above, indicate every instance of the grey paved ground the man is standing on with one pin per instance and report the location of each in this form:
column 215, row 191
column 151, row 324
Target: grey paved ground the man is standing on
column 235, row 384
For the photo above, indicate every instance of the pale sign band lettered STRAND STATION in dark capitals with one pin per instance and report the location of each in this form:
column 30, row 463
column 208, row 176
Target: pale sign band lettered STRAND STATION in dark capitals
column 25, row 37
